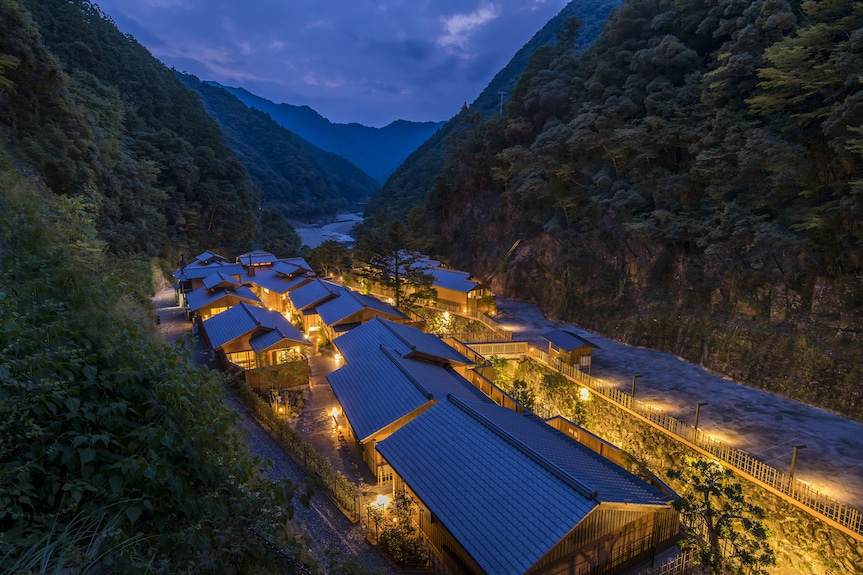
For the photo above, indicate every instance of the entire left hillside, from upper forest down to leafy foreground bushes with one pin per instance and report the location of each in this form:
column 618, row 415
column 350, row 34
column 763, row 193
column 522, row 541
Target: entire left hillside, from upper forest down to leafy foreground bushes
column 116, row 454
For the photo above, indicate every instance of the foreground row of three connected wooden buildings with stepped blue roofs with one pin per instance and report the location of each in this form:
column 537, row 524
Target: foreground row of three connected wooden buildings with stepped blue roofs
column 498, row 492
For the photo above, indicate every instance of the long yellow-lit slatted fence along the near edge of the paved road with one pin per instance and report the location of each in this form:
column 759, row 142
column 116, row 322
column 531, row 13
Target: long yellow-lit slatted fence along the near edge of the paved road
column 841, row 515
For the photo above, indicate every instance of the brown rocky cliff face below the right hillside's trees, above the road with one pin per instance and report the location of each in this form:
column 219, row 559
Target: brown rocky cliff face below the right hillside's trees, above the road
column 757, row 318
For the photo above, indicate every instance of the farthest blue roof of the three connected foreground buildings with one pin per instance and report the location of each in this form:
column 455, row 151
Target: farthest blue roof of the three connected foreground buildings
column 405, row 340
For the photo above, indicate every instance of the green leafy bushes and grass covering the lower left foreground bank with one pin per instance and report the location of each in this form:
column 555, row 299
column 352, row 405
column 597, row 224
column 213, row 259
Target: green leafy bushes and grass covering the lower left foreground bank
column 115, row 454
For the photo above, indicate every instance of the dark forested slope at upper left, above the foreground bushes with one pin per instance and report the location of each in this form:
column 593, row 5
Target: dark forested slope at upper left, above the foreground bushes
column 98, row 117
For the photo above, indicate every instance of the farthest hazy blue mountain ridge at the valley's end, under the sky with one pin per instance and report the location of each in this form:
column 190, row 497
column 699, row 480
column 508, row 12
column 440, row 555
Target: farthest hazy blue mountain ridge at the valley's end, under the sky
column 377, row 151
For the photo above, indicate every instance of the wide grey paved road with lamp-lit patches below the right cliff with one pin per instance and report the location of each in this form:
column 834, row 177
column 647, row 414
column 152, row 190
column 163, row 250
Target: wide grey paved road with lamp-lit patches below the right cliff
column 766, row 425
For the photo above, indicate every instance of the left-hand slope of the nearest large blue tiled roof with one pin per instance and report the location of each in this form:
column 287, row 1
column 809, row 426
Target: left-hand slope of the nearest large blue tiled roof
column 470, row 473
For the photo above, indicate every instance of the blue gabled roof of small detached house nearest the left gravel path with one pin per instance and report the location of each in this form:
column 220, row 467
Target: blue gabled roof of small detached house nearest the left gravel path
column 268, row 328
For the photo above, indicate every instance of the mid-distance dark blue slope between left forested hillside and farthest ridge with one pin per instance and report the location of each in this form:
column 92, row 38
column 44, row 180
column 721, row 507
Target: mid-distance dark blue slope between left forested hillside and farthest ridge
column 294, row 176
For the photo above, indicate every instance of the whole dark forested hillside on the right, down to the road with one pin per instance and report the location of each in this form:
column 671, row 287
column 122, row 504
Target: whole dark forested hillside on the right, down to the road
column 691, row 182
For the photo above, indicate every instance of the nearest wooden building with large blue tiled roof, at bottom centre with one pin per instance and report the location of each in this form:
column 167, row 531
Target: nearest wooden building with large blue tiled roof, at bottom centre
column 503, row 493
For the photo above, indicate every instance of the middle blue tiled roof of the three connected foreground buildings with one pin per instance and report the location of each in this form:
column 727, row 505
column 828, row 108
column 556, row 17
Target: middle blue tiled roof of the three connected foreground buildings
column 381, row 387
